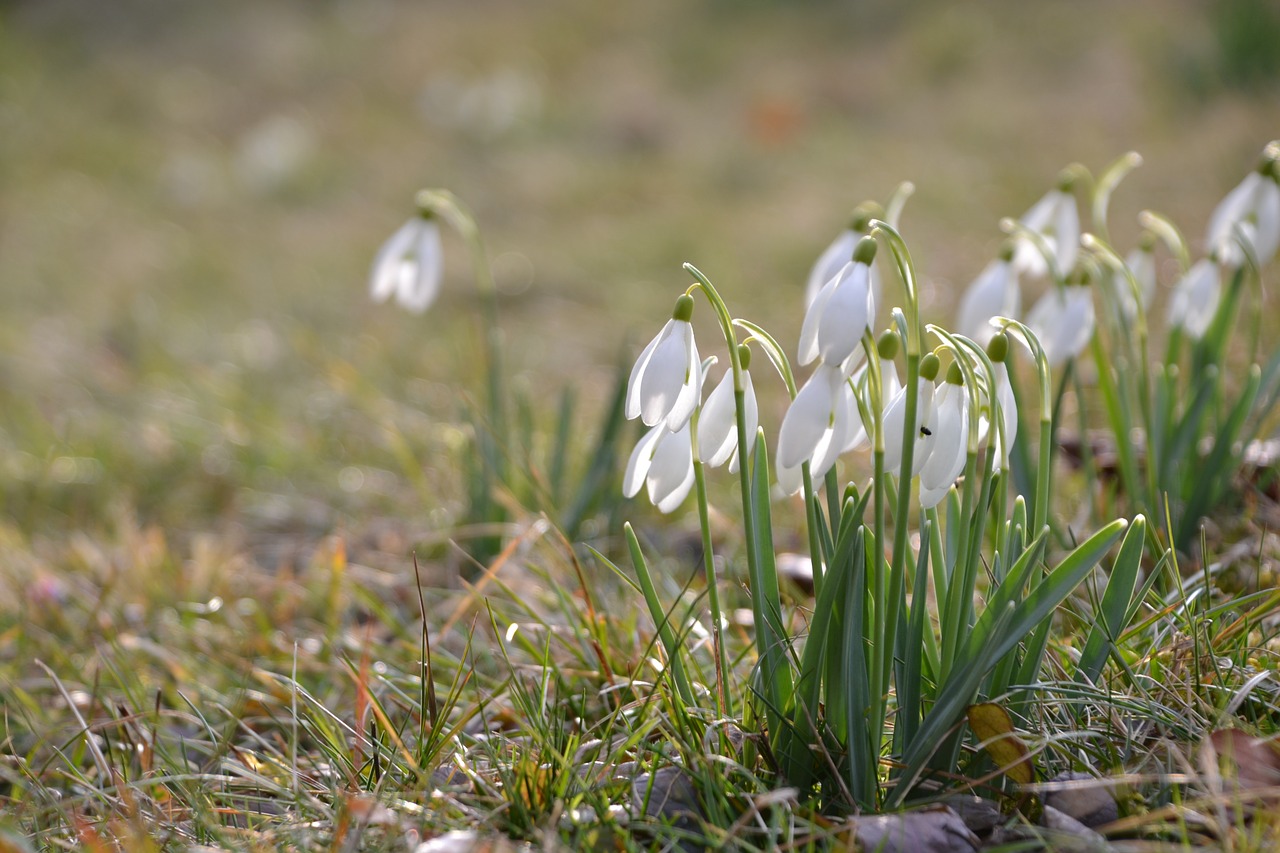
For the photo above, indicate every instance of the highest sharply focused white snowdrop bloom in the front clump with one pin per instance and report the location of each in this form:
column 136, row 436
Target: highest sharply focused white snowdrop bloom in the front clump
column 843, row 311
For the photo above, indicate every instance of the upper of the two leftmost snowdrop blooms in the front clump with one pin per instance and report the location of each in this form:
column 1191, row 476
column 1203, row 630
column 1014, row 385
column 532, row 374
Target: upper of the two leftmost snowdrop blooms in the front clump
column 666, row 381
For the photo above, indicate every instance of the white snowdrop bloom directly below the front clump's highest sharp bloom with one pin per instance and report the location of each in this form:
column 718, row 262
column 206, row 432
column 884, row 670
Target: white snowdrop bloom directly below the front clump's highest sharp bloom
column 819, row 423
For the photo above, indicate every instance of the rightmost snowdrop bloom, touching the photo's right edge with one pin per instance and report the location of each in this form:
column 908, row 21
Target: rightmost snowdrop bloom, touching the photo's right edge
column 1254, row 207
